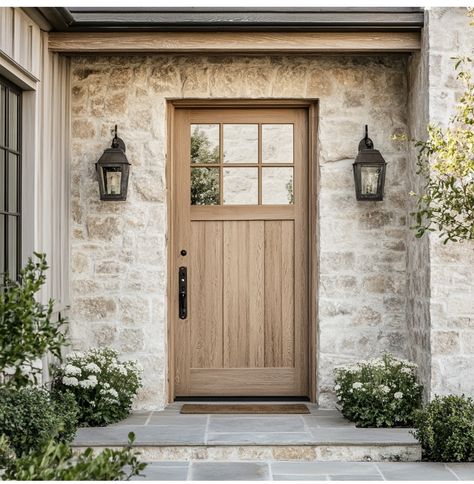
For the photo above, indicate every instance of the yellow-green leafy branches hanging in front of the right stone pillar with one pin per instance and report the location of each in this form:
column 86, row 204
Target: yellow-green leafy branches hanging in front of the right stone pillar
column 446, row 160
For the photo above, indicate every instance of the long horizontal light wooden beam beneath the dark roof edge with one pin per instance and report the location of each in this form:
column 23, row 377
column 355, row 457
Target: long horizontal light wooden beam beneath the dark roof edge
column 233, row 42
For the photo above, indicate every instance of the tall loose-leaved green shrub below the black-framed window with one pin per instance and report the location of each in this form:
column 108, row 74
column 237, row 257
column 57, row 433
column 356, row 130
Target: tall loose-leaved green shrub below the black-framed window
column 27, row 329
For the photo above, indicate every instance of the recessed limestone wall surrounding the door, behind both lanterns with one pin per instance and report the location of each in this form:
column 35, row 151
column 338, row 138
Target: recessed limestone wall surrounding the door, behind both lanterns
column 119, row 249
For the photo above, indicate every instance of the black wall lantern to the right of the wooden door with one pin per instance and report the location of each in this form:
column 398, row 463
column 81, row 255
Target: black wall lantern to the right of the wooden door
column 369, row 171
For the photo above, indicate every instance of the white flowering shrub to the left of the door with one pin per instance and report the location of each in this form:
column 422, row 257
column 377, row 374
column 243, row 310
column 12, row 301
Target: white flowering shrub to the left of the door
column 103, row 386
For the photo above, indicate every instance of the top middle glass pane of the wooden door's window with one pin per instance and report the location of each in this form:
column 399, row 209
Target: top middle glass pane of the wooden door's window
column 240, row 143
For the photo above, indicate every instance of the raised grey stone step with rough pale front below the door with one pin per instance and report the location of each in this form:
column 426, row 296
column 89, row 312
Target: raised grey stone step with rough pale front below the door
column 321, row 436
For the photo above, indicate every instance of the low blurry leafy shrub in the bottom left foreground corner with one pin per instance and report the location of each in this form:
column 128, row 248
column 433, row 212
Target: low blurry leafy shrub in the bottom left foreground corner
column 57, row 462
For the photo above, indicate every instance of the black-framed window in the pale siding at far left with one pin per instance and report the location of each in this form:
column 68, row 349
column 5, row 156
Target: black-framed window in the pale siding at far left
column 10, row 178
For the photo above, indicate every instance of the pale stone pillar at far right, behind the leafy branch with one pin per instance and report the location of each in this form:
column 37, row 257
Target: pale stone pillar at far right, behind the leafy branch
column 452, row 281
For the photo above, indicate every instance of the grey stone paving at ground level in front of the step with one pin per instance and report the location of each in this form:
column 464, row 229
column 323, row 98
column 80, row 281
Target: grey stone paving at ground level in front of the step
column 307, row 471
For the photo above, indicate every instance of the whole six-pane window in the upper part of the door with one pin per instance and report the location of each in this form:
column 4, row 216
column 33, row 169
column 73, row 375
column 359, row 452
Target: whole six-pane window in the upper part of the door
column 242, row 164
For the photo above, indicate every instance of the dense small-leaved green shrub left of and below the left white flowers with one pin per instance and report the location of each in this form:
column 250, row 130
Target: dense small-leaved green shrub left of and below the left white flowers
column 30, row 417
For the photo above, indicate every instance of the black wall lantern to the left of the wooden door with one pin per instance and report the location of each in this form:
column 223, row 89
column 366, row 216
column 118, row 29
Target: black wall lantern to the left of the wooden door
column 113, row 169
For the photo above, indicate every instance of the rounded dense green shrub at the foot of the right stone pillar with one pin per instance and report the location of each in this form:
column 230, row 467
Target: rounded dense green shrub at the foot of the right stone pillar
column 445, row 429
